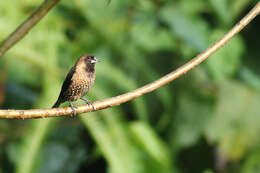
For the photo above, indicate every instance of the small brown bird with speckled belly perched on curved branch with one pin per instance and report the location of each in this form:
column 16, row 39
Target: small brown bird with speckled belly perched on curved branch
column 79, row 80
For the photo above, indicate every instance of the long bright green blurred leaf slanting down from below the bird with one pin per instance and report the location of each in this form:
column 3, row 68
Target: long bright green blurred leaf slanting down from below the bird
column 119, row 156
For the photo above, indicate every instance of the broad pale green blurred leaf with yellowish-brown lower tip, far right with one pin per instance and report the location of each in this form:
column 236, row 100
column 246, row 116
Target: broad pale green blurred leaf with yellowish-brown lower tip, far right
column 234, row 125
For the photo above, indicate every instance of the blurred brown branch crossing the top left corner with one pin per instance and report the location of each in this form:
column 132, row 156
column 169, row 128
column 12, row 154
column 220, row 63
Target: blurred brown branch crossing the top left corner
column 25, row 27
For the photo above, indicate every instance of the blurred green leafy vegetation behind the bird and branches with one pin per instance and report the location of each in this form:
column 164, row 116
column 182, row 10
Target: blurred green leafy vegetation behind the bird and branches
column 205, row 122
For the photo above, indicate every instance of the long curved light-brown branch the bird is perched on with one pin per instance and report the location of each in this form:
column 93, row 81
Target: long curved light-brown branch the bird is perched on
column 114, row 101
